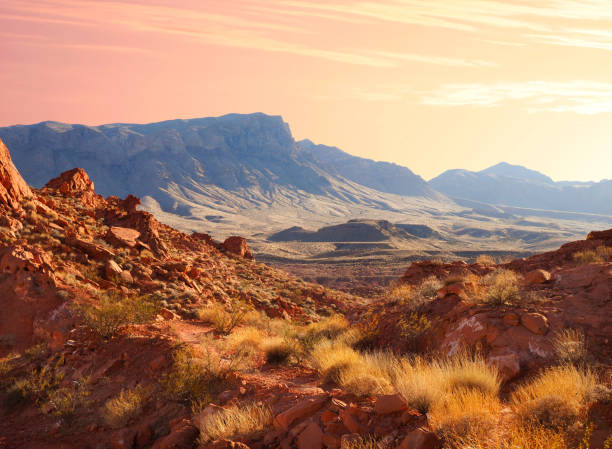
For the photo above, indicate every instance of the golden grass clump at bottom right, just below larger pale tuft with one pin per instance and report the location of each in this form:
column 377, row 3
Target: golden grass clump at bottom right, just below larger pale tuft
column 465, row 412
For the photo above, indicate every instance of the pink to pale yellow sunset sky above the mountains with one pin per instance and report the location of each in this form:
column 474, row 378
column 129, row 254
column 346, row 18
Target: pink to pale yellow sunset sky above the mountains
column 431, row 85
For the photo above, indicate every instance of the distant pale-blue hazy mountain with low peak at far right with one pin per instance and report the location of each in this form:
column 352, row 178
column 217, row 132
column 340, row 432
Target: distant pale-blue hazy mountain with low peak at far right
column 513, row 185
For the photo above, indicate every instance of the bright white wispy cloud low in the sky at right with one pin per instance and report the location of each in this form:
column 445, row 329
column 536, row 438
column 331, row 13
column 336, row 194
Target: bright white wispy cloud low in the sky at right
column 582, row 97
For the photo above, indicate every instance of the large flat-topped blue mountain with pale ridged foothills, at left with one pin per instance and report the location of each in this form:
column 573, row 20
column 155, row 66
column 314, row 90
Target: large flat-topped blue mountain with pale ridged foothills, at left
column 223, row 173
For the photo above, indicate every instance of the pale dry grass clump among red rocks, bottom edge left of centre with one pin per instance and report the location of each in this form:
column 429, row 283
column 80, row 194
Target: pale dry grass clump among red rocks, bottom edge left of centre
column 243, row 420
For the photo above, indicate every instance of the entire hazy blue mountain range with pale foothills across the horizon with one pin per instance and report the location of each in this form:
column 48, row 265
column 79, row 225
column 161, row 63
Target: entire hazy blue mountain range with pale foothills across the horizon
column 246, row 174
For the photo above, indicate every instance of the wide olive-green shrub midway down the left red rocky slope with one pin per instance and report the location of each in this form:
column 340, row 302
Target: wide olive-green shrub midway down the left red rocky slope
column 112, row 312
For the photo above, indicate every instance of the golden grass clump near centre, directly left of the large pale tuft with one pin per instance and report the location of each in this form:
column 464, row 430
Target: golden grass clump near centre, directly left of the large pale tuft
column 357, row 373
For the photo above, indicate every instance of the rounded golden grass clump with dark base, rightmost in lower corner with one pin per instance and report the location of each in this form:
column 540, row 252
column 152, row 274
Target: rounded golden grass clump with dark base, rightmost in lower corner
column 557, row 397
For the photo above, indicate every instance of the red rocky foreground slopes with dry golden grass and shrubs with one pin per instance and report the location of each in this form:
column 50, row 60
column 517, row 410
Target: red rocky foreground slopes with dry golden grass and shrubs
column 118, row 331
